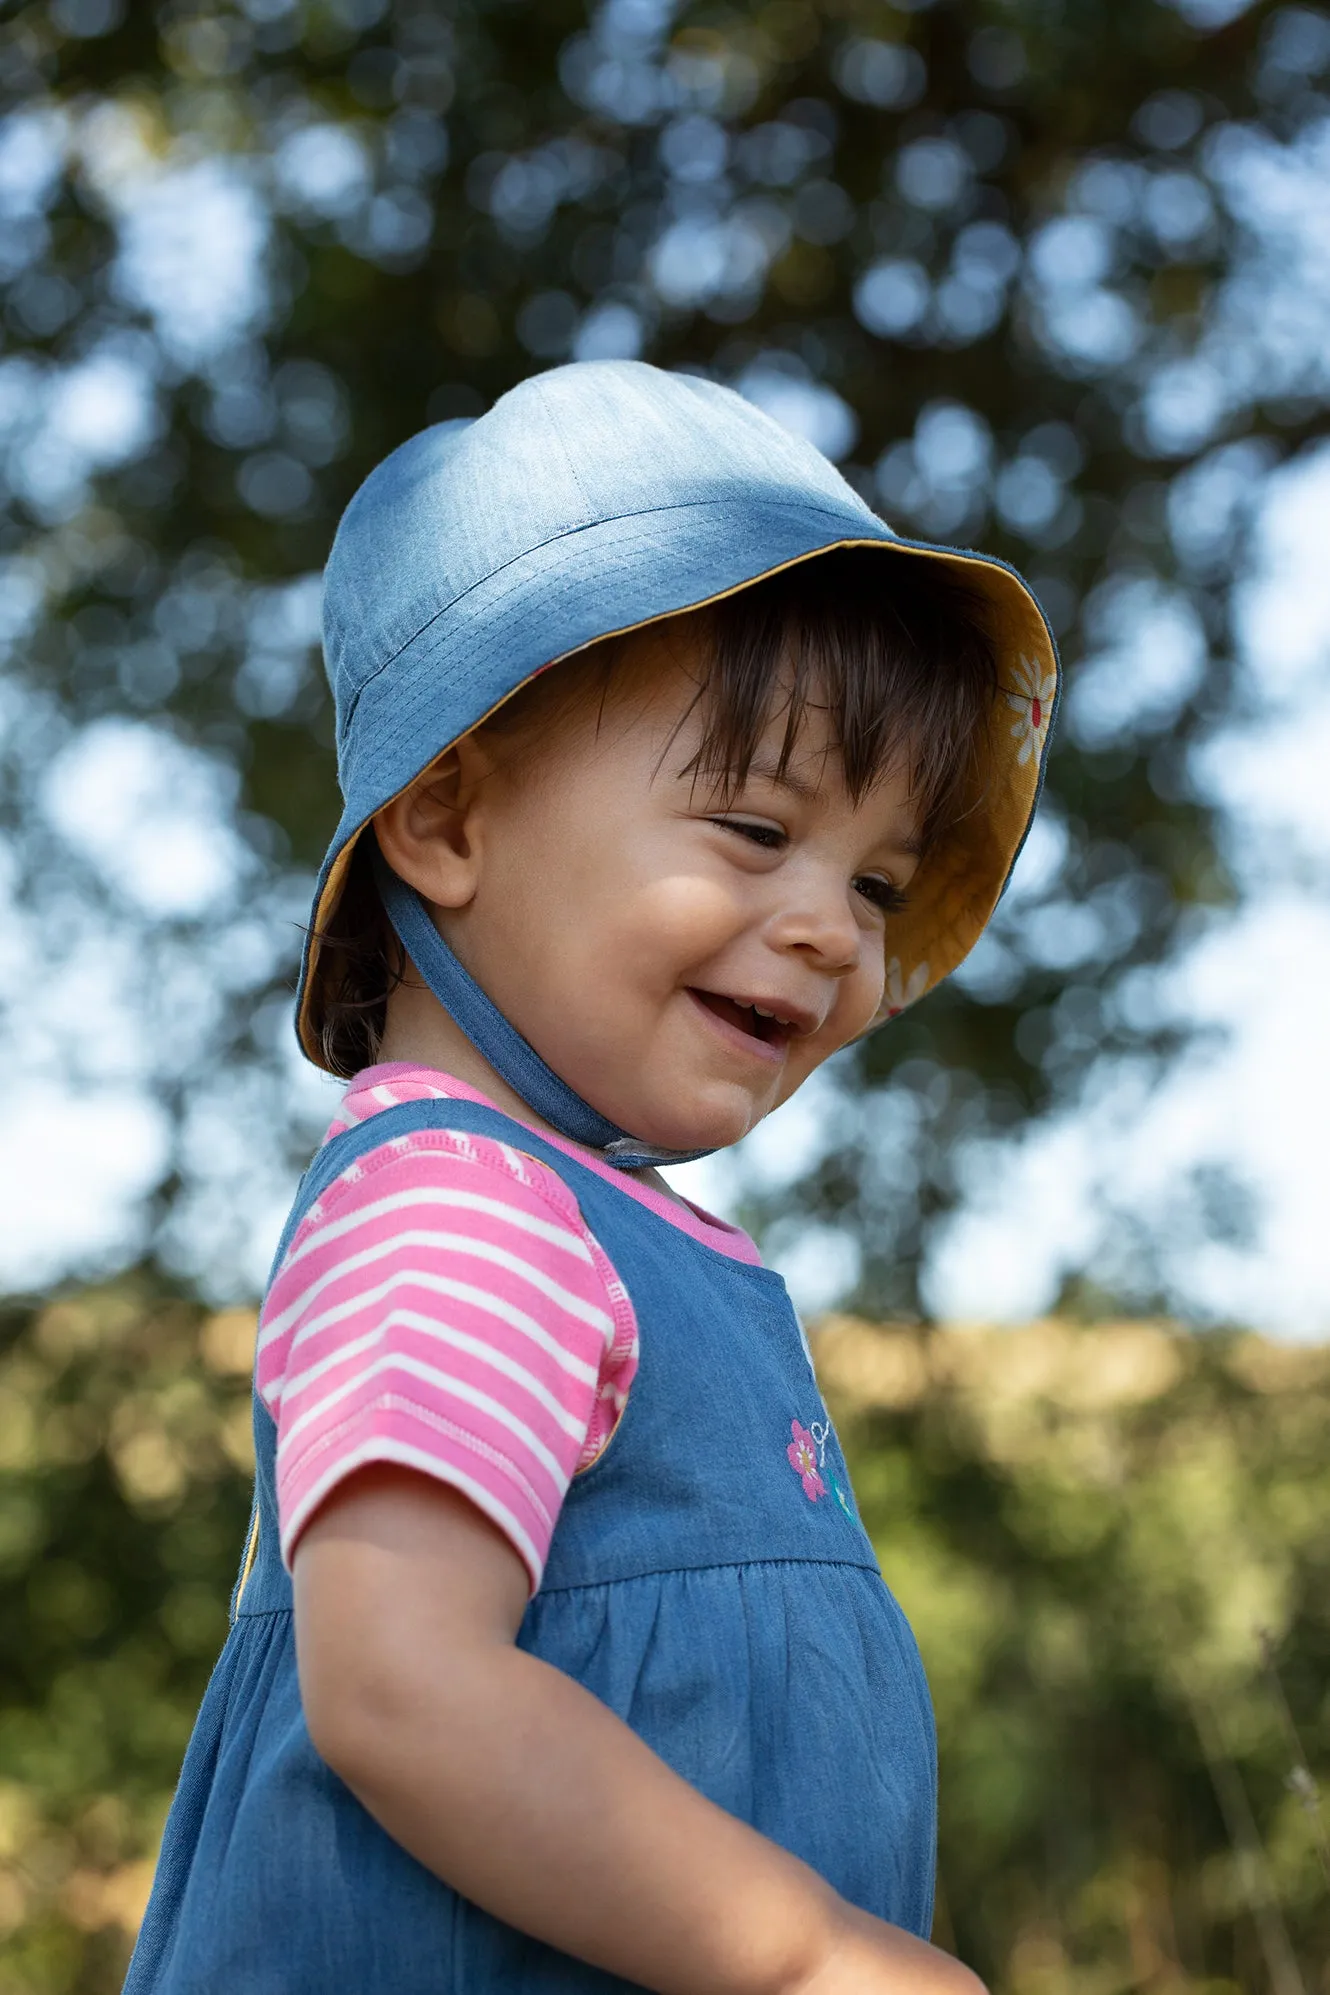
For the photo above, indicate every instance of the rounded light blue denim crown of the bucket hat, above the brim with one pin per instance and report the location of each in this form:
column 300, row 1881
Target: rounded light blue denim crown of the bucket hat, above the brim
column 567, row 450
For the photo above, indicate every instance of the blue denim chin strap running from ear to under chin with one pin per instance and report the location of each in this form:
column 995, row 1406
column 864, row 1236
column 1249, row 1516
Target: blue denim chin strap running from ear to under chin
column 492, row 1034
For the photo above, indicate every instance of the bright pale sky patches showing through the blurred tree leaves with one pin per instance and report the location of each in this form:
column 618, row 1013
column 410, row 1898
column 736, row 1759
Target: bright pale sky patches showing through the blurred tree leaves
column 109, row 1002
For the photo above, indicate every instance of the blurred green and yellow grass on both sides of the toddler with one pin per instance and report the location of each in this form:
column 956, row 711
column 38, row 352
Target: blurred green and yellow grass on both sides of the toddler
column 1112, row 1543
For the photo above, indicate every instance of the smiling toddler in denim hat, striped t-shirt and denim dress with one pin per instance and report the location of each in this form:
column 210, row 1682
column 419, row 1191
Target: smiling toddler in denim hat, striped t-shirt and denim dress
column 559, row 1657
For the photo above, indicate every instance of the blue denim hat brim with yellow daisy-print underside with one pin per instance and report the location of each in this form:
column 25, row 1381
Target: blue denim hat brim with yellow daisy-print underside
column 619, row 576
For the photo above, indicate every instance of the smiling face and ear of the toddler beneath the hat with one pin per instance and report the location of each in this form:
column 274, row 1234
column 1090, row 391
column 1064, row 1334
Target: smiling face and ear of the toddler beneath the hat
column 627, row 923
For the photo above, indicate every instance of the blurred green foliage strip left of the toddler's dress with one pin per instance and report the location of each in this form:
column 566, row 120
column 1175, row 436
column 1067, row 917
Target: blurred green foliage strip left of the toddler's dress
column 125, row 1491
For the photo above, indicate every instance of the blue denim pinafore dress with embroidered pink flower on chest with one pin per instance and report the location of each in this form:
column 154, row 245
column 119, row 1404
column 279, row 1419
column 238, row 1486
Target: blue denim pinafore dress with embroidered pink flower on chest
column 709, row 1581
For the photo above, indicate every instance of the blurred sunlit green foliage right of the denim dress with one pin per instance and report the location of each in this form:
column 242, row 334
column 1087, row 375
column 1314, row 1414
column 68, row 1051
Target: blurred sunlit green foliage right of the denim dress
column 1112, row 1547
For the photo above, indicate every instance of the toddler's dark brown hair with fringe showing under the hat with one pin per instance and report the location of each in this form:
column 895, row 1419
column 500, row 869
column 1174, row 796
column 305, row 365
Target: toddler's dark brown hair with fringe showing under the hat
column 898, row 657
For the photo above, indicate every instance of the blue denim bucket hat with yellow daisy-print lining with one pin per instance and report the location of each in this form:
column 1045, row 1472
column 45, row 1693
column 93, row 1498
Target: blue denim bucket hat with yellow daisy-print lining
column 589, row 502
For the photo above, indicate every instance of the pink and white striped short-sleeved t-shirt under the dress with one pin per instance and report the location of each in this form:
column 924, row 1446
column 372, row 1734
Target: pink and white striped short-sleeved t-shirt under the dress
column 444, row 1306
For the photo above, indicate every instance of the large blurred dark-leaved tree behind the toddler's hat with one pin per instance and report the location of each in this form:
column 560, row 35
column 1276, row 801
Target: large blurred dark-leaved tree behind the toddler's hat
column 1040, row 276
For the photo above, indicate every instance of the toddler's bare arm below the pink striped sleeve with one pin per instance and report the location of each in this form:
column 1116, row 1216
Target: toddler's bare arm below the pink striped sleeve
column 533, row 1798
